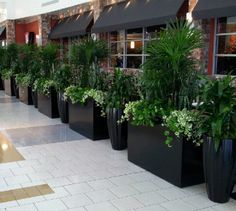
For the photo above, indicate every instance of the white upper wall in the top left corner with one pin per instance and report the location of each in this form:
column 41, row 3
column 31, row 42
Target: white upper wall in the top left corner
column 24, row 8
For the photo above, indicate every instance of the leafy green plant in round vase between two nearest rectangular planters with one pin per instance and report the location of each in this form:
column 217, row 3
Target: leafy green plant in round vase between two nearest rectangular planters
column 120, row 90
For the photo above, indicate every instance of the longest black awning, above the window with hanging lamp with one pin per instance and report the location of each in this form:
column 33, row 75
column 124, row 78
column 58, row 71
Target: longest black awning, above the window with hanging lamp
column 137, row 13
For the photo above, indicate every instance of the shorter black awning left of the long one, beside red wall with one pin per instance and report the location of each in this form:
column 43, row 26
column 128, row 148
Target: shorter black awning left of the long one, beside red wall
column 72, row 26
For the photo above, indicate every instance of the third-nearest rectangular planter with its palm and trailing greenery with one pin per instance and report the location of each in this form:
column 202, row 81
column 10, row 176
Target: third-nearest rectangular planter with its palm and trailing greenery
column 44, row 84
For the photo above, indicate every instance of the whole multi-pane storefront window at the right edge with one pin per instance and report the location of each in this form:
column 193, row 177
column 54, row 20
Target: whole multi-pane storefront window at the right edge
column 226, row 46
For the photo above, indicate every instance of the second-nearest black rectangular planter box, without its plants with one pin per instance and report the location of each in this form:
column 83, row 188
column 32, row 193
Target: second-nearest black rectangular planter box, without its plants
column 86, row 120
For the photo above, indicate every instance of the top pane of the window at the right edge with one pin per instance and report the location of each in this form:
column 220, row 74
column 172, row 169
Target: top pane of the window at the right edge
column 227, row 25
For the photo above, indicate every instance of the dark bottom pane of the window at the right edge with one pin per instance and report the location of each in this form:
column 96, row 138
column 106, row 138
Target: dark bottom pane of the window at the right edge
column 226, row 65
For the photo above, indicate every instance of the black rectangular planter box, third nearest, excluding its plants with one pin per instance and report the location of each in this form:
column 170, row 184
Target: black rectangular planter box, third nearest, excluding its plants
column 48, row 104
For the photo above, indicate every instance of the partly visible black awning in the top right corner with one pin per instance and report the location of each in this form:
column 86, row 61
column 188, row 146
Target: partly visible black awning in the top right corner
column 214, row 8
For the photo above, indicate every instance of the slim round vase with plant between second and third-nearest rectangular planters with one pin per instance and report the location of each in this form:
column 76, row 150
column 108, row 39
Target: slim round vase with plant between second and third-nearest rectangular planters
column 62, row 78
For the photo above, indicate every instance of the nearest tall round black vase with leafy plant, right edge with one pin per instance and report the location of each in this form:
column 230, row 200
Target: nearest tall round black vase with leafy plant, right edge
column 218, row 109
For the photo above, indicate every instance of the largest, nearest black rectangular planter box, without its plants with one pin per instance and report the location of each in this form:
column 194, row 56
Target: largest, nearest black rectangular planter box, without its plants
column 180, row 164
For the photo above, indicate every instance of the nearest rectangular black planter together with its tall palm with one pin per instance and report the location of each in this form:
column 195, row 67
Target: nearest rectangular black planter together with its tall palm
column 168, row 83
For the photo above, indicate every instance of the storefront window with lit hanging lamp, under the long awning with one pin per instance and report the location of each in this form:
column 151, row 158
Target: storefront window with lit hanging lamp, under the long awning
column 127, row 46
